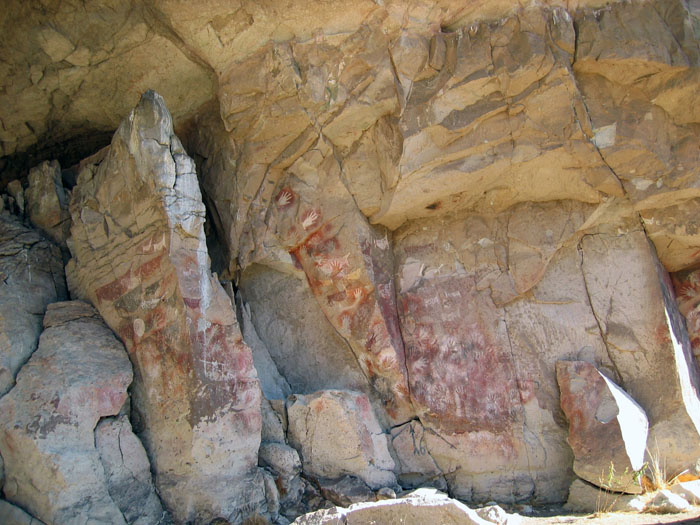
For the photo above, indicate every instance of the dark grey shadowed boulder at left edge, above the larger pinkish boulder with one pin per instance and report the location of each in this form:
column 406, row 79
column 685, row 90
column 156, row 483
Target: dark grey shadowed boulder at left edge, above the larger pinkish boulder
column 32, row 277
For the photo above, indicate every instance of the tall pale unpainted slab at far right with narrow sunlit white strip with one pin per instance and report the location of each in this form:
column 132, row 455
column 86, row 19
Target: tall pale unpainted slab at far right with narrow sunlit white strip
column 645, row 334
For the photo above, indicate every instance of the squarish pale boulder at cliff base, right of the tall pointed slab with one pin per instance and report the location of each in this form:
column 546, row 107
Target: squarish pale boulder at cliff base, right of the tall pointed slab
column 336, row 433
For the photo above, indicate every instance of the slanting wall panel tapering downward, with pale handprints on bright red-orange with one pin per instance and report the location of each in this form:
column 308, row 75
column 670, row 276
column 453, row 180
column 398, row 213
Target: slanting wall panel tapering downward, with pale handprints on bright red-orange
column 347, row 263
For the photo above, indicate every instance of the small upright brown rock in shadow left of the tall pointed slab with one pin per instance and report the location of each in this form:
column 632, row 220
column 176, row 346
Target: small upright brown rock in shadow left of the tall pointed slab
column 47, row 202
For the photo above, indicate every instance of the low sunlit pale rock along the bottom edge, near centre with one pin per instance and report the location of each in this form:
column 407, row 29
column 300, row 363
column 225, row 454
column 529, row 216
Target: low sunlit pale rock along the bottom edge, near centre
column 418, row 507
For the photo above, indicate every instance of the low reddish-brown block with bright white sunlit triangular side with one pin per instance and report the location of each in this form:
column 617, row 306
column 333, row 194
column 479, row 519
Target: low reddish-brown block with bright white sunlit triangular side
column 607, row 428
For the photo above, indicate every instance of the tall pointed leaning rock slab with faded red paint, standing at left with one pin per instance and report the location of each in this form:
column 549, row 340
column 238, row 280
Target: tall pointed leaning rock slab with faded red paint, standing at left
column 139, row 254
